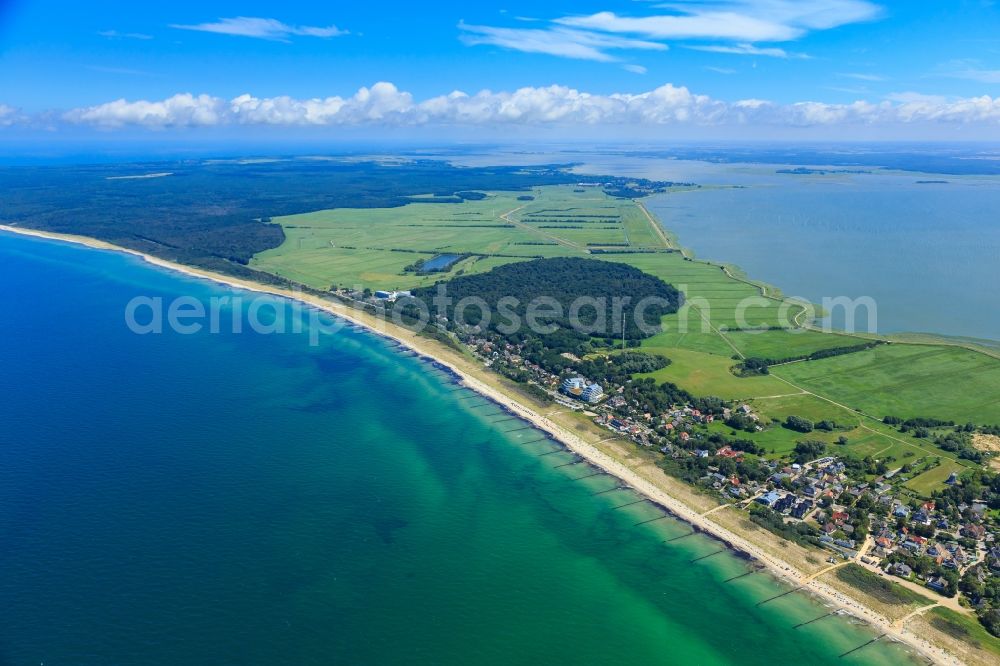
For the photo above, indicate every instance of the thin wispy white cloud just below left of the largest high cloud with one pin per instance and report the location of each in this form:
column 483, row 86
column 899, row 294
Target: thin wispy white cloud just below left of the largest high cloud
column 564, row 42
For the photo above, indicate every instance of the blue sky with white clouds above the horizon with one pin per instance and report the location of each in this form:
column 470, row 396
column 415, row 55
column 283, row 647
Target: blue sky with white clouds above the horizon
column 914, row 67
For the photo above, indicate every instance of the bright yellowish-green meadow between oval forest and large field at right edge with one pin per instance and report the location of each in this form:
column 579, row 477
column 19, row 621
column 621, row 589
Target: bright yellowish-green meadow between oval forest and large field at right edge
column 708, row 374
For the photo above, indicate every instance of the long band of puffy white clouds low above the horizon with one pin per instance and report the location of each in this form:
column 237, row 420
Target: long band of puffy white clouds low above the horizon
column 384, row 104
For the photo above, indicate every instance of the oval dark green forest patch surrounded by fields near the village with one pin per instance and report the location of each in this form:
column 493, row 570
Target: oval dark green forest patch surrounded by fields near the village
column 562, row 281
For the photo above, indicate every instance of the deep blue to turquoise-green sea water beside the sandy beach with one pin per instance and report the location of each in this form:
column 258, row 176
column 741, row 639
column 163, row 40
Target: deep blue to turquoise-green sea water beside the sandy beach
column 252, row 499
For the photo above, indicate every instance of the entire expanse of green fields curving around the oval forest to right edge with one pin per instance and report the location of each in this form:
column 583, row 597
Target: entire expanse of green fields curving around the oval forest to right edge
column 371, row 247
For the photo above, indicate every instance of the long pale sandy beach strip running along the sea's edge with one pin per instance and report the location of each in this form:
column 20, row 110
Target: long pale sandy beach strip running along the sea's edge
column 473, row 378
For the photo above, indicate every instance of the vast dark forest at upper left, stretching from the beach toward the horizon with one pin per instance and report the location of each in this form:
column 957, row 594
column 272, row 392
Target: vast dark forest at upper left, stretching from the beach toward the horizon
column 215, row 214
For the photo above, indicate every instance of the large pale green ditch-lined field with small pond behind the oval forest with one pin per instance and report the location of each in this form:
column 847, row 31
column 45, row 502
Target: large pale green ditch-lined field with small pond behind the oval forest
column 371, row 247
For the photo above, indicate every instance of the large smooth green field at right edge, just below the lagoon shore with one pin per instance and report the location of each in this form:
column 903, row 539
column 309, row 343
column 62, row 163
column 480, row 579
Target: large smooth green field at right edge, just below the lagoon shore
column 907, row 380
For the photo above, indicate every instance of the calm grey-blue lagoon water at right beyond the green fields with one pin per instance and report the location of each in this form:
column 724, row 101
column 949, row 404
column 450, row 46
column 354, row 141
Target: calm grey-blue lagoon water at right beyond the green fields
column 924, row 247
